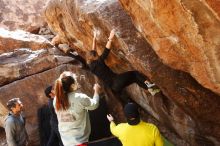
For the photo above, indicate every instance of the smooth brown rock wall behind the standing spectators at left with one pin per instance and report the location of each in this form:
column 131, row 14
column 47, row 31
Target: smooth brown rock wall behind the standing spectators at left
column 31, row 92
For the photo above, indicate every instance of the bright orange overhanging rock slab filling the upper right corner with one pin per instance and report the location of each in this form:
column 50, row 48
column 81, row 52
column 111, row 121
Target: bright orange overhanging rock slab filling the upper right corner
column 185, row 34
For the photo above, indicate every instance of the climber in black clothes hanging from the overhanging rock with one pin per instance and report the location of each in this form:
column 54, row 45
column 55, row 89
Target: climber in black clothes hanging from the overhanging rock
column 111, row 79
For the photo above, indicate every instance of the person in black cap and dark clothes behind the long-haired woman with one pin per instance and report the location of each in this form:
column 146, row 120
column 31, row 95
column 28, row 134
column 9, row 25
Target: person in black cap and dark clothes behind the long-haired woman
column 54, row 135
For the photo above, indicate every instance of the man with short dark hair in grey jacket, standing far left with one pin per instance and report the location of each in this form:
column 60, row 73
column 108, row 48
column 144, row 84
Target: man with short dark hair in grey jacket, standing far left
column 16, row 134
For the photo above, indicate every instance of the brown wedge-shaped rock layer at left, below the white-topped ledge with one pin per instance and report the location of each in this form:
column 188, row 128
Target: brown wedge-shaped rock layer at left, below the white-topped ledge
column 25, row 62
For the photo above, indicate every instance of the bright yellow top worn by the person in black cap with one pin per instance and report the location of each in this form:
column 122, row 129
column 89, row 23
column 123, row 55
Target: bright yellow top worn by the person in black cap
column 143, row 134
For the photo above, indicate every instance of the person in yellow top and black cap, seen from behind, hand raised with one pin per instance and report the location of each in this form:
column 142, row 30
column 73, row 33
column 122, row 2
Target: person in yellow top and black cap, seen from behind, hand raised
column 135, row 132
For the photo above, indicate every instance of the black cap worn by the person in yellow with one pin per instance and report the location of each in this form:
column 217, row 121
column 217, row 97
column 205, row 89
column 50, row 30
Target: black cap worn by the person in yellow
column 132, row 114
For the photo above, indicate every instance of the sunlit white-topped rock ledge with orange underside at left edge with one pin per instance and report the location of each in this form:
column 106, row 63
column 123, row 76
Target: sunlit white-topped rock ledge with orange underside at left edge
column 10, row 40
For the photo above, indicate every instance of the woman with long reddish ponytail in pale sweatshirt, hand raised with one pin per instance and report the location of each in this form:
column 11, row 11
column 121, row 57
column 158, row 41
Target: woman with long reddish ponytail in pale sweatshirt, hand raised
column 71, row 108
